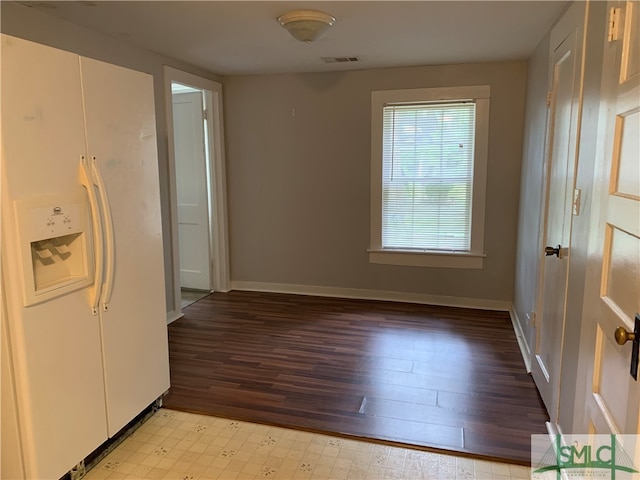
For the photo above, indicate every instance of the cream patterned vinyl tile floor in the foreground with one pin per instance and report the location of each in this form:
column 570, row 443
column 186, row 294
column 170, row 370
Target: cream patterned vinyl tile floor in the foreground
column 183, row 446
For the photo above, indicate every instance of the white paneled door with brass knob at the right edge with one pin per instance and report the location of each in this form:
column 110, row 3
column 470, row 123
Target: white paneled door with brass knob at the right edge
column 612, row 297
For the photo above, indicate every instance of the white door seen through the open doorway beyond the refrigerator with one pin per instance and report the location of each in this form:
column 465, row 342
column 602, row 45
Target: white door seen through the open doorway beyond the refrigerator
column 192, row 191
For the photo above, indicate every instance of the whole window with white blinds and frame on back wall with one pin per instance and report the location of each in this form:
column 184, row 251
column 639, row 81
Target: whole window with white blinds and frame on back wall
column 429, row 156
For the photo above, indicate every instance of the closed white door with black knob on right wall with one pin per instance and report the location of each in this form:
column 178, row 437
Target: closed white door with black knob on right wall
column 563, row 124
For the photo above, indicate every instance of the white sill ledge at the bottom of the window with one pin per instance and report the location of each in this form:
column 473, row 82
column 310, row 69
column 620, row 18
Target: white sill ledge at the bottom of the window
column 427, row 258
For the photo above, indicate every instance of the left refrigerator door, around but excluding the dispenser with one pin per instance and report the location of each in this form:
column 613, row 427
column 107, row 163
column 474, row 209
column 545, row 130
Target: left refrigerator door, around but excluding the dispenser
column 54, row 345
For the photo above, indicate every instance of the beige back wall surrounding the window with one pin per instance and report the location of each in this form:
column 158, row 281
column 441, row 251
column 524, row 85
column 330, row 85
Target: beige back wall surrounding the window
column 298, row 159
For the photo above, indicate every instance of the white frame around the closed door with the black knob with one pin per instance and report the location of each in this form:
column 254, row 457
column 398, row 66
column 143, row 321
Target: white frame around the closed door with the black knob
column 593, row 16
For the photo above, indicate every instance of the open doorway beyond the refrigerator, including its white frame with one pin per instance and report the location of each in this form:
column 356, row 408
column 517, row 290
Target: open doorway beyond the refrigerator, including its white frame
column 198, row 206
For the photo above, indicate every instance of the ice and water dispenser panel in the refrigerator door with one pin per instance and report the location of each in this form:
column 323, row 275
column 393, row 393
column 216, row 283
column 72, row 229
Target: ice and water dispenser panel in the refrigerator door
column 54, row 236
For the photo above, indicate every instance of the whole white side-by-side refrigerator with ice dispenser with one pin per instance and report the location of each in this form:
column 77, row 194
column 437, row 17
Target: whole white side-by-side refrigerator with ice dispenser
column 84, row 335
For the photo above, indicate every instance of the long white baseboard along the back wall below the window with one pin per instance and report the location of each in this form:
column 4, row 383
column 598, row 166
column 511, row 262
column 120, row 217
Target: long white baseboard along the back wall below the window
column 365, row 294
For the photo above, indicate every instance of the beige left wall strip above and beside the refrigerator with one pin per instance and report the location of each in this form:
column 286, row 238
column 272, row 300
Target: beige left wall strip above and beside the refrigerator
column 32, row 24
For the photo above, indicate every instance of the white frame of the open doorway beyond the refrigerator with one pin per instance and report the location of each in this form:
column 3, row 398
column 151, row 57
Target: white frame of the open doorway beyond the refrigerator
column 218, row 232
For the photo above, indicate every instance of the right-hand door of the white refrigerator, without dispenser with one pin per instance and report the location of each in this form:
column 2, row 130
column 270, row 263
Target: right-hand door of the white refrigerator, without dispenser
column 121, row 135
